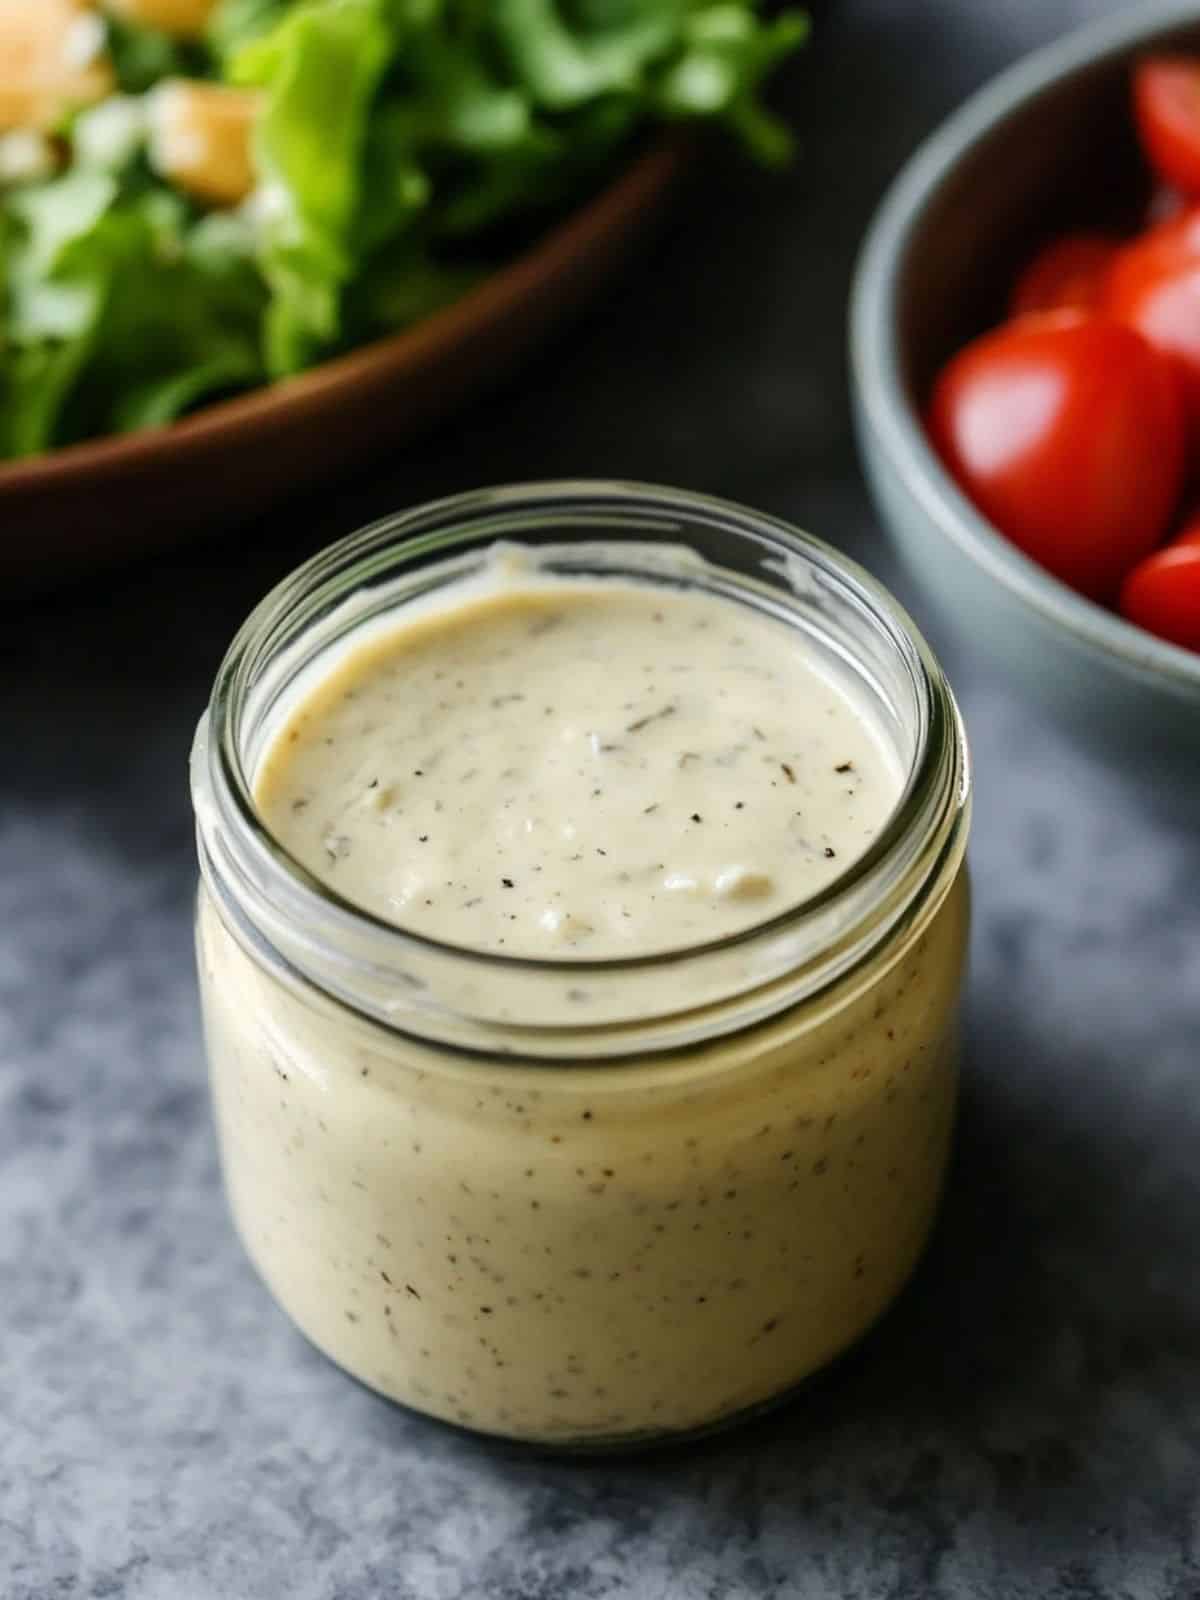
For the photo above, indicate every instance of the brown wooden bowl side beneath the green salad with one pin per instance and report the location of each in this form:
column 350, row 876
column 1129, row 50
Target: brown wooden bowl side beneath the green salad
column 87, row 503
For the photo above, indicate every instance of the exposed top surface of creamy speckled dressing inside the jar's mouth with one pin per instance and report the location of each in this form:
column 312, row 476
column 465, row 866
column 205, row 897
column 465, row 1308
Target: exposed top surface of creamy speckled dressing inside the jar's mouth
column 575, row 769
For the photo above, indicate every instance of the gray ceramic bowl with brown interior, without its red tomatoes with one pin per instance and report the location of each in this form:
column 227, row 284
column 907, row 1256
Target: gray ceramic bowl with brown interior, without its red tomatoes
column 1046, row 146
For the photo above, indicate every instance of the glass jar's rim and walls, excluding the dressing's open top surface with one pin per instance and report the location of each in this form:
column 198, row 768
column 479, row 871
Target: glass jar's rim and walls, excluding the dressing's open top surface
column 585, row 1204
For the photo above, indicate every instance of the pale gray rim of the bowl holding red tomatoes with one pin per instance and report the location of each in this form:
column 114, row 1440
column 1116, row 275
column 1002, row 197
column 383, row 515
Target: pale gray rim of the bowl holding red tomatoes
column 876, row 361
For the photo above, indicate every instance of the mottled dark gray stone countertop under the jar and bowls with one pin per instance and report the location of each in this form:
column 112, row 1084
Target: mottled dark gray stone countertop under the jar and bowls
column 1028, row 1422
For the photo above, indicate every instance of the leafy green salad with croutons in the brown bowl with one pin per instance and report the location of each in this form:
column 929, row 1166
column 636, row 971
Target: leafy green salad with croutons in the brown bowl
column 289, row 178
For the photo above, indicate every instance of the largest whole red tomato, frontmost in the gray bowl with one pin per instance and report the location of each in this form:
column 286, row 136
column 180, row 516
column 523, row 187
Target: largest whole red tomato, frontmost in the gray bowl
column 1068, row 433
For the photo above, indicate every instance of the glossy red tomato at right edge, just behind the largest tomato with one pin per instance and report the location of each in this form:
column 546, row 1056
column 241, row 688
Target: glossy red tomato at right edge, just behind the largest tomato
column 1154, row 287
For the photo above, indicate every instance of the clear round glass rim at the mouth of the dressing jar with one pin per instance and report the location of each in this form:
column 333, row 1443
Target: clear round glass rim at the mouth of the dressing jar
column 938, row 780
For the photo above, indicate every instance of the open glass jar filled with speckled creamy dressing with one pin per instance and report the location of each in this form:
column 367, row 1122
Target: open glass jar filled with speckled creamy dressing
column 582, row 935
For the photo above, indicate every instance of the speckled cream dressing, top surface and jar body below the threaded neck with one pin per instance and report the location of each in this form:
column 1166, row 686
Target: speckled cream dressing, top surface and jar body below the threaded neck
column 585, row 1252
